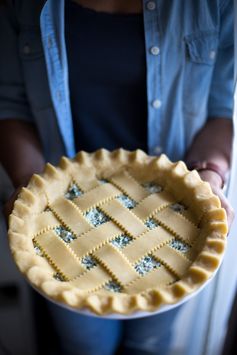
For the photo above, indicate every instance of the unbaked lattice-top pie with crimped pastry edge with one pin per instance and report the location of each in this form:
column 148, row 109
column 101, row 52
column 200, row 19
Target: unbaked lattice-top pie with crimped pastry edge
column 117, row 232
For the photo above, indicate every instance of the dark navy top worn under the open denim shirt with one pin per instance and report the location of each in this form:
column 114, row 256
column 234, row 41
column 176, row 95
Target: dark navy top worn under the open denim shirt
column 107, row 78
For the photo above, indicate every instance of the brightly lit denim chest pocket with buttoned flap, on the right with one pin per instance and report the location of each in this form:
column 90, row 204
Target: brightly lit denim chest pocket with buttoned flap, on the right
column 200, row 56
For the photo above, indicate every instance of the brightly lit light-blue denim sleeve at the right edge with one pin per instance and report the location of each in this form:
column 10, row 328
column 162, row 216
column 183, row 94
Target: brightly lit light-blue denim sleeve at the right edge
column 220, row 102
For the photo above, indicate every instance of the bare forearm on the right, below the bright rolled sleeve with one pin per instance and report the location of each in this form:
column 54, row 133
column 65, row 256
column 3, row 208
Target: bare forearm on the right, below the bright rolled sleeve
column 213, row 144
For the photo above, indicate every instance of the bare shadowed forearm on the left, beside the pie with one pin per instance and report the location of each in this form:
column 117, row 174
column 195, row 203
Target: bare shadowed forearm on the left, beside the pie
column 20, row 150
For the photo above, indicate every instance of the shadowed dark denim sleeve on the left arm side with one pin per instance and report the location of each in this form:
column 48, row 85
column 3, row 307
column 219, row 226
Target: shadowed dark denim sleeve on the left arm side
column 13, row 99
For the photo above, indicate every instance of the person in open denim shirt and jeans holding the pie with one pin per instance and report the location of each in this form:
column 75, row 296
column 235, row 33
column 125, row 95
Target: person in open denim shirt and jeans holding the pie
column 85, row 75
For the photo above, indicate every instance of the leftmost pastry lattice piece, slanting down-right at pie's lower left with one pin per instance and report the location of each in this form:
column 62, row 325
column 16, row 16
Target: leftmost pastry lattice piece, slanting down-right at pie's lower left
column 58, row 253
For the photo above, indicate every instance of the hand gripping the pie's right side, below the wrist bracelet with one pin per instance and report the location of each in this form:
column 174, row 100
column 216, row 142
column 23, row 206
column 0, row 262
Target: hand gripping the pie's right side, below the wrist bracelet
column 215, row 181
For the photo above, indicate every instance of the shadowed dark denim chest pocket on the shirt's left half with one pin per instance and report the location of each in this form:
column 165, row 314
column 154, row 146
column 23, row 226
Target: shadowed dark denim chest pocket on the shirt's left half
column 34, row 69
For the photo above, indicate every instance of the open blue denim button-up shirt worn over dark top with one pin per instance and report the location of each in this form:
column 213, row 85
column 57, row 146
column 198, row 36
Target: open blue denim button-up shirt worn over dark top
column 189, row 57
